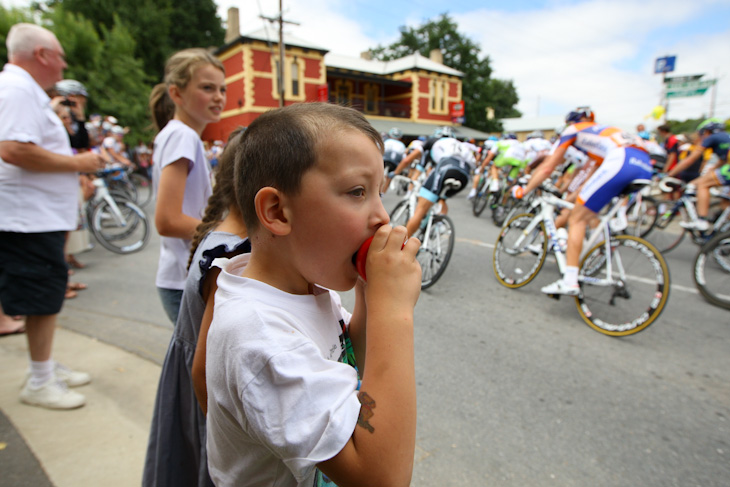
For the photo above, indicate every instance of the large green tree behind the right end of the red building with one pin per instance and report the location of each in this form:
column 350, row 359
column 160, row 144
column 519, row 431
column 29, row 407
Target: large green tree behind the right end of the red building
column 480, row 90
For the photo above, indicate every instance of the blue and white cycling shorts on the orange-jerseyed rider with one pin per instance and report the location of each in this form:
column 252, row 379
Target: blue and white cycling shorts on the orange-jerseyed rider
column 621, row 166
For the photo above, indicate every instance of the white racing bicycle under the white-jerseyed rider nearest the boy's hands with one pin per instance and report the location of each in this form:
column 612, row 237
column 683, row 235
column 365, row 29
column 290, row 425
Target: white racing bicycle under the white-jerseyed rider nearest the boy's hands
column 436, row 233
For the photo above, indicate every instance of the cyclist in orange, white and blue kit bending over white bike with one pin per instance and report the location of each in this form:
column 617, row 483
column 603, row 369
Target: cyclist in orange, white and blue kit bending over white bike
column 622, row 159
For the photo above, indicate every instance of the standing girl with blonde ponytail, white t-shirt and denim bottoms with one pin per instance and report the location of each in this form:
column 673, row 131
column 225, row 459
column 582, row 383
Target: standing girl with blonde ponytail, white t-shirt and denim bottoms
column 192, row 96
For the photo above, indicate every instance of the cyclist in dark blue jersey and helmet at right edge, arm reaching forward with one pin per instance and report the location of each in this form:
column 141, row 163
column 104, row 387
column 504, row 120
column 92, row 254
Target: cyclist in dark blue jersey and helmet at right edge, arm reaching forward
column 712, row 136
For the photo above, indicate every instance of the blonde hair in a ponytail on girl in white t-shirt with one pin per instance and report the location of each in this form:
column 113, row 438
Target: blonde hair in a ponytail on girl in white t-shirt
column 178, row 71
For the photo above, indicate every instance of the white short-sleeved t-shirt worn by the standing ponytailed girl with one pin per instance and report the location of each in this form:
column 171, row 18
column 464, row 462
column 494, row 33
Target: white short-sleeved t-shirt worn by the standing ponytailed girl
column 174, row 142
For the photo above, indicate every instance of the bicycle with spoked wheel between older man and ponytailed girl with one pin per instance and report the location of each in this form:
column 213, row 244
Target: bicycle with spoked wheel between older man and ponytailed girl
column 116, row 222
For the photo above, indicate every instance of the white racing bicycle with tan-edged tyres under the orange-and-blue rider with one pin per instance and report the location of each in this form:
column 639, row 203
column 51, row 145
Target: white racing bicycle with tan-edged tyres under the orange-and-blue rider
column 613, row 267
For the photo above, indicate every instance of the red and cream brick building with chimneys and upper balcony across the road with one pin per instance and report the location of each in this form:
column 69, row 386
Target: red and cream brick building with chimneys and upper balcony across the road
column 414, row 93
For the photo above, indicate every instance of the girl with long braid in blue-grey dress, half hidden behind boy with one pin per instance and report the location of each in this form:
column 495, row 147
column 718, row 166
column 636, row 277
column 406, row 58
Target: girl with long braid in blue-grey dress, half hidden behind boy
column 176, row 452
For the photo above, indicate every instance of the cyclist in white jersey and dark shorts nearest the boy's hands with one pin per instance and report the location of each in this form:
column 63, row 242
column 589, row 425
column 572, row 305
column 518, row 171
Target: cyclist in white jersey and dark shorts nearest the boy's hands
column 454, row 163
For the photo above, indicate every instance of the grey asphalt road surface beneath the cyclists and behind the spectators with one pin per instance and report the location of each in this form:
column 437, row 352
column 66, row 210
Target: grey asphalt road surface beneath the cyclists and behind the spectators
column 513, row 388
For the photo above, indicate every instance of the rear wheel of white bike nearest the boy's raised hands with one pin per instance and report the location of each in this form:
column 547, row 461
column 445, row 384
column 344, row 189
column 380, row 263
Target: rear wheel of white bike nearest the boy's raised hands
column 436, row 250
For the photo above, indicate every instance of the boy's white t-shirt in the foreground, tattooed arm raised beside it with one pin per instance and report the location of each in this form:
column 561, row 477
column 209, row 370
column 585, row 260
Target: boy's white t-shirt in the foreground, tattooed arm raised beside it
column 280, row 400
